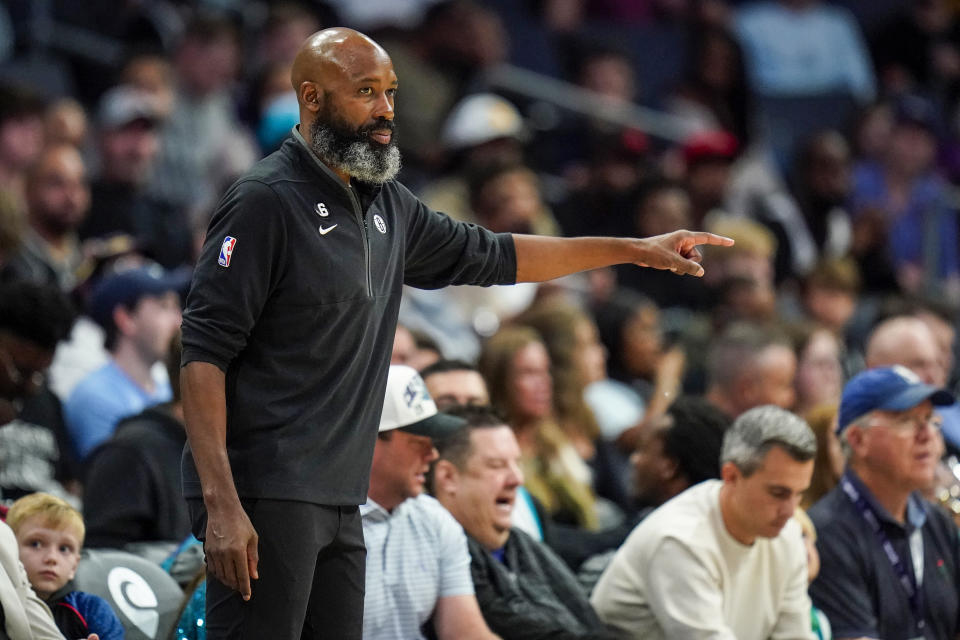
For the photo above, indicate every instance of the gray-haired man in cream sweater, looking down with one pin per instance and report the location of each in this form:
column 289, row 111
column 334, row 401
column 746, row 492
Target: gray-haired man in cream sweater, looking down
column 724, row 559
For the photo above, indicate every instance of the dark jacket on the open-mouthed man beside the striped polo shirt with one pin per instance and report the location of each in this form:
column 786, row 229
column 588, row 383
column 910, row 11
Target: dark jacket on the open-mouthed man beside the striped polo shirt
column 532, row 595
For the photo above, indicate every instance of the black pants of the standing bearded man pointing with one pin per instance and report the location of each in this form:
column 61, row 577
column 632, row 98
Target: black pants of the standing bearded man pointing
column 312, row 569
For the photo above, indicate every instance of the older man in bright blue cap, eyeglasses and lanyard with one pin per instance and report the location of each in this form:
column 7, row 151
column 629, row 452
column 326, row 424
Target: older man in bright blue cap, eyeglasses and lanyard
column 890, row 560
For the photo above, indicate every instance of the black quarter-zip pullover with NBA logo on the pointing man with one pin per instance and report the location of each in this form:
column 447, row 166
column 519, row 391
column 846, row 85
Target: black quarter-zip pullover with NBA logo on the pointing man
column 295, row 296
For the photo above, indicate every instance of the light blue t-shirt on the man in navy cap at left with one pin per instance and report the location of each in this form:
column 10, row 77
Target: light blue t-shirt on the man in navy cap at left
column 101, row 400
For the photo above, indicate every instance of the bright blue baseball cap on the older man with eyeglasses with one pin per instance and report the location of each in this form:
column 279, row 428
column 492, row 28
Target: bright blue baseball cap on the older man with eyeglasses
column 888, row 389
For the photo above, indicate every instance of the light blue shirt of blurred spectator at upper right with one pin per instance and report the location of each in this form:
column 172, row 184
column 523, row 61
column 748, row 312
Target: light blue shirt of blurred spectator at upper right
column 811, row 51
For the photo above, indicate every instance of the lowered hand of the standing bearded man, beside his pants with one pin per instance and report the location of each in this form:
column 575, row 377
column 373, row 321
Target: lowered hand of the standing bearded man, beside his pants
column 231, row 548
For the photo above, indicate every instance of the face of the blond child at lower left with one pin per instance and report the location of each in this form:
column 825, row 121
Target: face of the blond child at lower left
column 50, row 556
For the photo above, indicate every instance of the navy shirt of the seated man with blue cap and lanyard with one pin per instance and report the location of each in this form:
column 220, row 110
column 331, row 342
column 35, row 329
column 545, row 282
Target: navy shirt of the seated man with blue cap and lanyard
column 858, row 588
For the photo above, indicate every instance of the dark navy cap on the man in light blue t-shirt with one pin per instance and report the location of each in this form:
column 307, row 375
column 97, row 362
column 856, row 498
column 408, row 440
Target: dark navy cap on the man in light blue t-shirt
column 127, row 287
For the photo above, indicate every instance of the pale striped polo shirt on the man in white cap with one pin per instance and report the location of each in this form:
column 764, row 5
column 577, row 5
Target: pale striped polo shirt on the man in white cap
column 415, row 556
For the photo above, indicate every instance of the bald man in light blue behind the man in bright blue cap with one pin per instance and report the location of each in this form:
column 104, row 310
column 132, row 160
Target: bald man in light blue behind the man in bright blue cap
column 909, row 341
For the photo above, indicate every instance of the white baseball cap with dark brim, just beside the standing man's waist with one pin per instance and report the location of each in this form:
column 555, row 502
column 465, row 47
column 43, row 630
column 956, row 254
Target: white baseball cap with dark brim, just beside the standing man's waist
column 408, row 406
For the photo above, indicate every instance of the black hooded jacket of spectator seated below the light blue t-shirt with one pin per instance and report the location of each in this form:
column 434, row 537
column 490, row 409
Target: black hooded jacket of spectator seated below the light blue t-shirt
column 132, row 490
